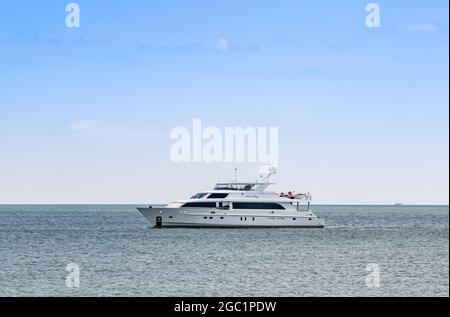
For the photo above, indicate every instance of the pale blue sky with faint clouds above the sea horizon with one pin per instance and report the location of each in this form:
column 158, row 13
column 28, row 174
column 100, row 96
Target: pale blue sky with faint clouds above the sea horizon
column 362, row 112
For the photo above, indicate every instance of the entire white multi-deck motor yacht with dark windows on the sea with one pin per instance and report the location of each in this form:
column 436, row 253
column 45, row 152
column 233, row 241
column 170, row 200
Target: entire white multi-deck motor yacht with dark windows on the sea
column 236, row 204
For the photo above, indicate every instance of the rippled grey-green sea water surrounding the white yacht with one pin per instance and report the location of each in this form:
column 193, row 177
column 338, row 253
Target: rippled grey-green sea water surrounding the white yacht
column 118, row 254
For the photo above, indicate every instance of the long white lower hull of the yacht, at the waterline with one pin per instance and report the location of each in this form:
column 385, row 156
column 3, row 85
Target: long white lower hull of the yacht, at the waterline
column 162, row 217
